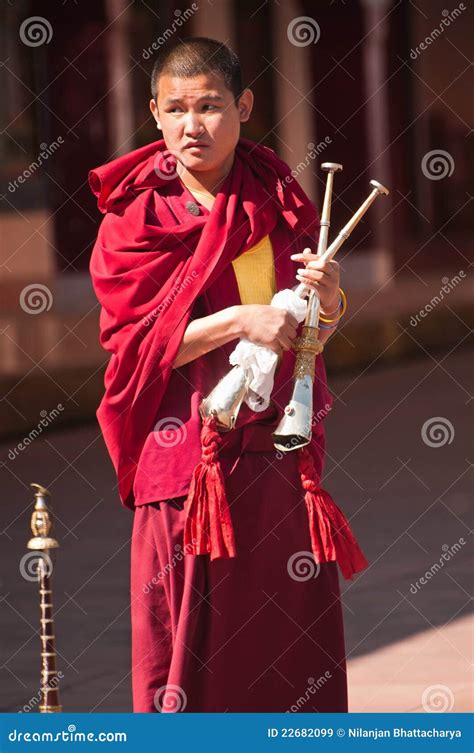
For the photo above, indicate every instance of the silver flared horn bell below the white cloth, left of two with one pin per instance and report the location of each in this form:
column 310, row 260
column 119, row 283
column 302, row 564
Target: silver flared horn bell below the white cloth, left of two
column 226, row 398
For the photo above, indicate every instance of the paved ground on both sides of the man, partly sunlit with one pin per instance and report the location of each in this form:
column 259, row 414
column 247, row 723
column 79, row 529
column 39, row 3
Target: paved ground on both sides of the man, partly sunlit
column 409, row 642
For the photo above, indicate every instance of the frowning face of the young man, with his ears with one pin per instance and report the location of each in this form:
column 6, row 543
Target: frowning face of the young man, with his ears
column 203, row 110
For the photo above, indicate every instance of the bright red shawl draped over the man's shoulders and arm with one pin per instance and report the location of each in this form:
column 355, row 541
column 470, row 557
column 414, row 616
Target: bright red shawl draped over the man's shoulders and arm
column 139, row 259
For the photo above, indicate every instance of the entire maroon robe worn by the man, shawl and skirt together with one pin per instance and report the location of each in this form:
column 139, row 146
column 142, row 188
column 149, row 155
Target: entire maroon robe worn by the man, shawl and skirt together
column 262, row 631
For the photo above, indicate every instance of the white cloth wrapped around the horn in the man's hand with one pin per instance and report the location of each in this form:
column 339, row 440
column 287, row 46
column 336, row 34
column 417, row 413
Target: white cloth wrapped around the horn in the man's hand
column 260, row 362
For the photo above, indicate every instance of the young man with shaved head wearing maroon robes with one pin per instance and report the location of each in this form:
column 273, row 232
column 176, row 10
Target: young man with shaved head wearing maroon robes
column 234, row 583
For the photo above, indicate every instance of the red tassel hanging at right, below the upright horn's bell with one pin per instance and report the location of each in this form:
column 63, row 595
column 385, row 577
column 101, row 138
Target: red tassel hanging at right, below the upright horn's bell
column 331, row 535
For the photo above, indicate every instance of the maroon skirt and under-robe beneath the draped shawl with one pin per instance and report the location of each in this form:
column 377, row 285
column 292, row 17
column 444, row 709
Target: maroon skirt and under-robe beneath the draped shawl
column 252, row 634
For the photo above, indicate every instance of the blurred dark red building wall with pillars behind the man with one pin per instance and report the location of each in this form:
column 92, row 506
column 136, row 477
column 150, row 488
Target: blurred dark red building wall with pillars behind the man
column 365, row 90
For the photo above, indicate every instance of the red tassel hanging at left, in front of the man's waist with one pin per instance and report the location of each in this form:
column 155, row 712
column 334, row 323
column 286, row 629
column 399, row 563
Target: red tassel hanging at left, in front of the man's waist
column 208, row 526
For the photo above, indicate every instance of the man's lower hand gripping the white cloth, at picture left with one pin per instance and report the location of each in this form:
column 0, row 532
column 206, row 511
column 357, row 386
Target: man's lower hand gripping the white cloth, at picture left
column 268, row 326
